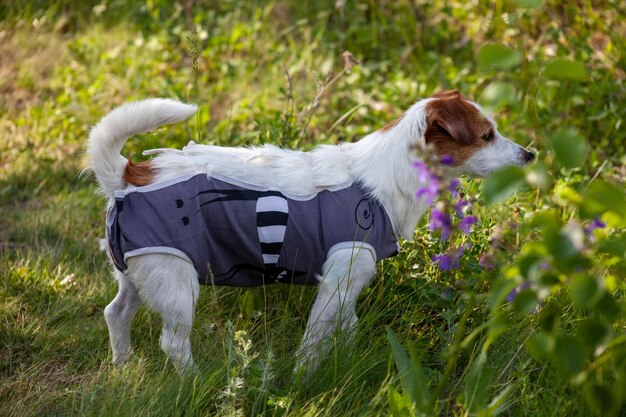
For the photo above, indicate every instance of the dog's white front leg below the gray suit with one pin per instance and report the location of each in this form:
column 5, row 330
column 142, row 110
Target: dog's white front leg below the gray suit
column 346, row 273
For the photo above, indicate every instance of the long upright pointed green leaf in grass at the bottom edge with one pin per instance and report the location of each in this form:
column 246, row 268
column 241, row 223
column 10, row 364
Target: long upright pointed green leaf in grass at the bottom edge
column 412, row 376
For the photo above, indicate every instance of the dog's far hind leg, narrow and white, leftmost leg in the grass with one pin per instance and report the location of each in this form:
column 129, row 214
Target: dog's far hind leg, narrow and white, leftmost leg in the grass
column 119, row 315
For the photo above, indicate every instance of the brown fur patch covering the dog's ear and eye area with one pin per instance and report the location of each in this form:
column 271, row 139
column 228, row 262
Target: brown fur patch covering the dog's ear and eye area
column 455, row 127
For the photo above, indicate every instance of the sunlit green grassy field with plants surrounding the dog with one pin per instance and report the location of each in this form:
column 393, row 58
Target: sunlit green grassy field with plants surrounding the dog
column 531, row 322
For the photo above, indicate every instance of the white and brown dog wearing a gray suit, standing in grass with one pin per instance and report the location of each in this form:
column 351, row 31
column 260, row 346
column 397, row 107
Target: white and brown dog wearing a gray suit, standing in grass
column 257, row 215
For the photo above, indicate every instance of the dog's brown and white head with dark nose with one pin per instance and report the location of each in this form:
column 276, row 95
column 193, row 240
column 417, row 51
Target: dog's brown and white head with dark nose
column 456, row 127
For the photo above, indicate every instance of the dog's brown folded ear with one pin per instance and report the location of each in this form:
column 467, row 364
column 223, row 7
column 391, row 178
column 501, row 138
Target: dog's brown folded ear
column 449, row 116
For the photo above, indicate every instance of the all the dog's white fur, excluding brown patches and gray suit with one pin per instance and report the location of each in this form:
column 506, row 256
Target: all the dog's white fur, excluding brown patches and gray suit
column 381, row 162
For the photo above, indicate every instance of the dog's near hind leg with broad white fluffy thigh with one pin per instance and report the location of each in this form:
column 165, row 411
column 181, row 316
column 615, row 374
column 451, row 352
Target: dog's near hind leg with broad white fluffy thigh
column 169, row 285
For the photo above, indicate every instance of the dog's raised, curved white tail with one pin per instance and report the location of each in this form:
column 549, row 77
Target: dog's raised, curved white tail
column 108, row 137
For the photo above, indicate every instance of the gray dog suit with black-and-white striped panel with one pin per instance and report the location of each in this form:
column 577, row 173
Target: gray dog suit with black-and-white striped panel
column 238, row 234
